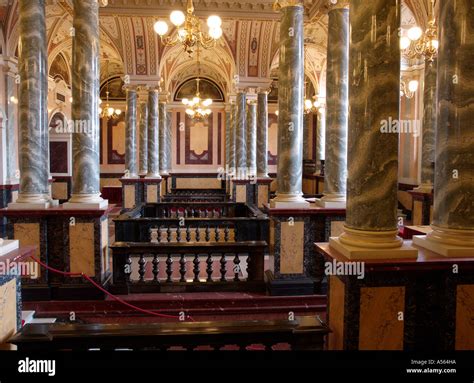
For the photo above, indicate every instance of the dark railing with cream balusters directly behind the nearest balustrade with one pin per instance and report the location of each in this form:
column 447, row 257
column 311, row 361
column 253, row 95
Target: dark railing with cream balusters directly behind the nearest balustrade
column 192, row 222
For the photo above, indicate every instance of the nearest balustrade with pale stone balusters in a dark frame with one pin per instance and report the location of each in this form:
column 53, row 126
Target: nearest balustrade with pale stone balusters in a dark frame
column 174, row 267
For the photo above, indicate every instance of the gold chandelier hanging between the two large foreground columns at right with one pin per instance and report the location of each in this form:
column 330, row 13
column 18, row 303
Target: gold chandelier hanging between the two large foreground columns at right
column 416, row 44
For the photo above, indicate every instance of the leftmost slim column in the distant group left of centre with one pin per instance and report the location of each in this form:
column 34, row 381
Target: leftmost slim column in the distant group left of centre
column 130, row 135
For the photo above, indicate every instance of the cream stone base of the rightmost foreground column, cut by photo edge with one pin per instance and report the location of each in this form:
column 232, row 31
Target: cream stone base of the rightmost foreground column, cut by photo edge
column 448, row 242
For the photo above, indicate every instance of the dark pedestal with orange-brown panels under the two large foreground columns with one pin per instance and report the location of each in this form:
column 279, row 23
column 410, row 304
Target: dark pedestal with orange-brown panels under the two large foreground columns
column 400, row 304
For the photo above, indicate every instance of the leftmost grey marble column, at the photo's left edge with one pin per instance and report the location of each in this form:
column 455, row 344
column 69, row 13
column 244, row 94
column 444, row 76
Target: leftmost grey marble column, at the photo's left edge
column 33, row 114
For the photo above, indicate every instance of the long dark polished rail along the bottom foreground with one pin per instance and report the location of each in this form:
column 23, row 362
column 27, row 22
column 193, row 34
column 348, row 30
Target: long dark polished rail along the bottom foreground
column 304, row 333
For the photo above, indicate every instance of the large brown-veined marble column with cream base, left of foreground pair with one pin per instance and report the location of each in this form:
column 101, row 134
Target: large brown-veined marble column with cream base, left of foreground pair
column 374, row 95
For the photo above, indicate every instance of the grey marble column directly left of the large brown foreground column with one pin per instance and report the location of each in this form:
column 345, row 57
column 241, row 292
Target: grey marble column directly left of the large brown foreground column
column 337, row 106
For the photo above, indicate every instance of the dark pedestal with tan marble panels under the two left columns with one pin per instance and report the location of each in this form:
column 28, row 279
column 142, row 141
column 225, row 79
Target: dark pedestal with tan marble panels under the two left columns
column 68, row 240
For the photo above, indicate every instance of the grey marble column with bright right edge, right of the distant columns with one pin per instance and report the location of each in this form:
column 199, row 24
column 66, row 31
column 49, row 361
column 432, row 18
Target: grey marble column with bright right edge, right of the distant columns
column 291, row 95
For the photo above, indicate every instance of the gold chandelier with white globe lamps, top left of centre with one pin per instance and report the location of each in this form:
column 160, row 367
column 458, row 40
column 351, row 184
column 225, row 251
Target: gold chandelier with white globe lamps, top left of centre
column 189, row 30
